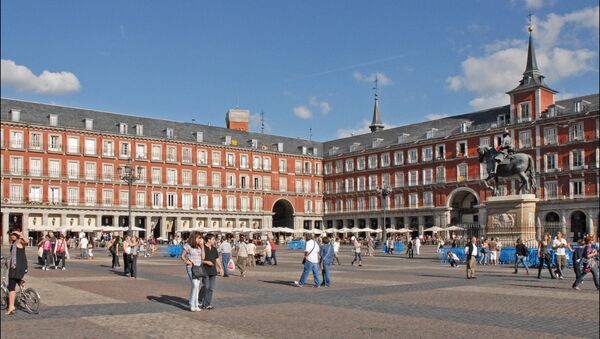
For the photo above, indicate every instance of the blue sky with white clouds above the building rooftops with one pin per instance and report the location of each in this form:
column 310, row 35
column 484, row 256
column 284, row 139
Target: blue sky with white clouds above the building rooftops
column 306, row 64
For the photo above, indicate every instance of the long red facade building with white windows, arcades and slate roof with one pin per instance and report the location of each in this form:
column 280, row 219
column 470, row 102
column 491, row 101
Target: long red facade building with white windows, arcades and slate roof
column 60, row 169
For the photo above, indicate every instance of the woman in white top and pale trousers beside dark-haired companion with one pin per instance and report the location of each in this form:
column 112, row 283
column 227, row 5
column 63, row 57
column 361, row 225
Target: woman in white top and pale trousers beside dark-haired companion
column 192, row 257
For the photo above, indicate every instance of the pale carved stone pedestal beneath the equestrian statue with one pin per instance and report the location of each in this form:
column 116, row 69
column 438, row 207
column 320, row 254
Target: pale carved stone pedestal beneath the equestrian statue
column 511, row 217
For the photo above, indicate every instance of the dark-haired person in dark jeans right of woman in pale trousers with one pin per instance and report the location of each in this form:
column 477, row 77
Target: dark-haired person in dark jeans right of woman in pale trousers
column 211, row 267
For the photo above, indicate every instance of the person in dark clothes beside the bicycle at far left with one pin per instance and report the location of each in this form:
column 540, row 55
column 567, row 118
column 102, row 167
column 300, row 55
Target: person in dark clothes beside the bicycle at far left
column 17, row 267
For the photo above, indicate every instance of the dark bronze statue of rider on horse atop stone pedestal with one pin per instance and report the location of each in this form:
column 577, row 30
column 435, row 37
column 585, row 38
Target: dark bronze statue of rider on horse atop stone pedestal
column 504, row 162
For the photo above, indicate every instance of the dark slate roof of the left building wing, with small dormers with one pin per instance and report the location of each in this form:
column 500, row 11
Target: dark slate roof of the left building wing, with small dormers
column 37, row 113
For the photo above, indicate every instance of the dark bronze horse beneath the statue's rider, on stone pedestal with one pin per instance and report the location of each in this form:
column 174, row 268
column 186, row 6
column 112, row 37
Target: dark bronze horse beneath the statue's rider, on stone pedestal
column 517, row 164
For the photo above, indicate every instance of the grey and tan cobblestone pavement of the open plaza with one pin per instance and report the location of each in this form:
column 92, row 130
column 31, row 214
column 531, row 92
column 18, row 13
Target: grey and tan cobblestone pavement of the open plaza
column 389, row 297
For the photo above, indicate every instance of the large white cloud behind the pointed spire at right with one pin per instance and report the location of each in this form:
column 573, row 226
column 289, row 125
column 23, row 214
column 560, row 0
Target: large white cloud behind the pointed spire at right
column 503, row 62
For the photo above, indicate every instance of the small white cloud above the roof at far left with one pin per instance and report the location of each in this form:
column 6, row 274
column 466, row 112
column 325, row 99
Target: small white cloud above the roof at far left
column 22, row 78
